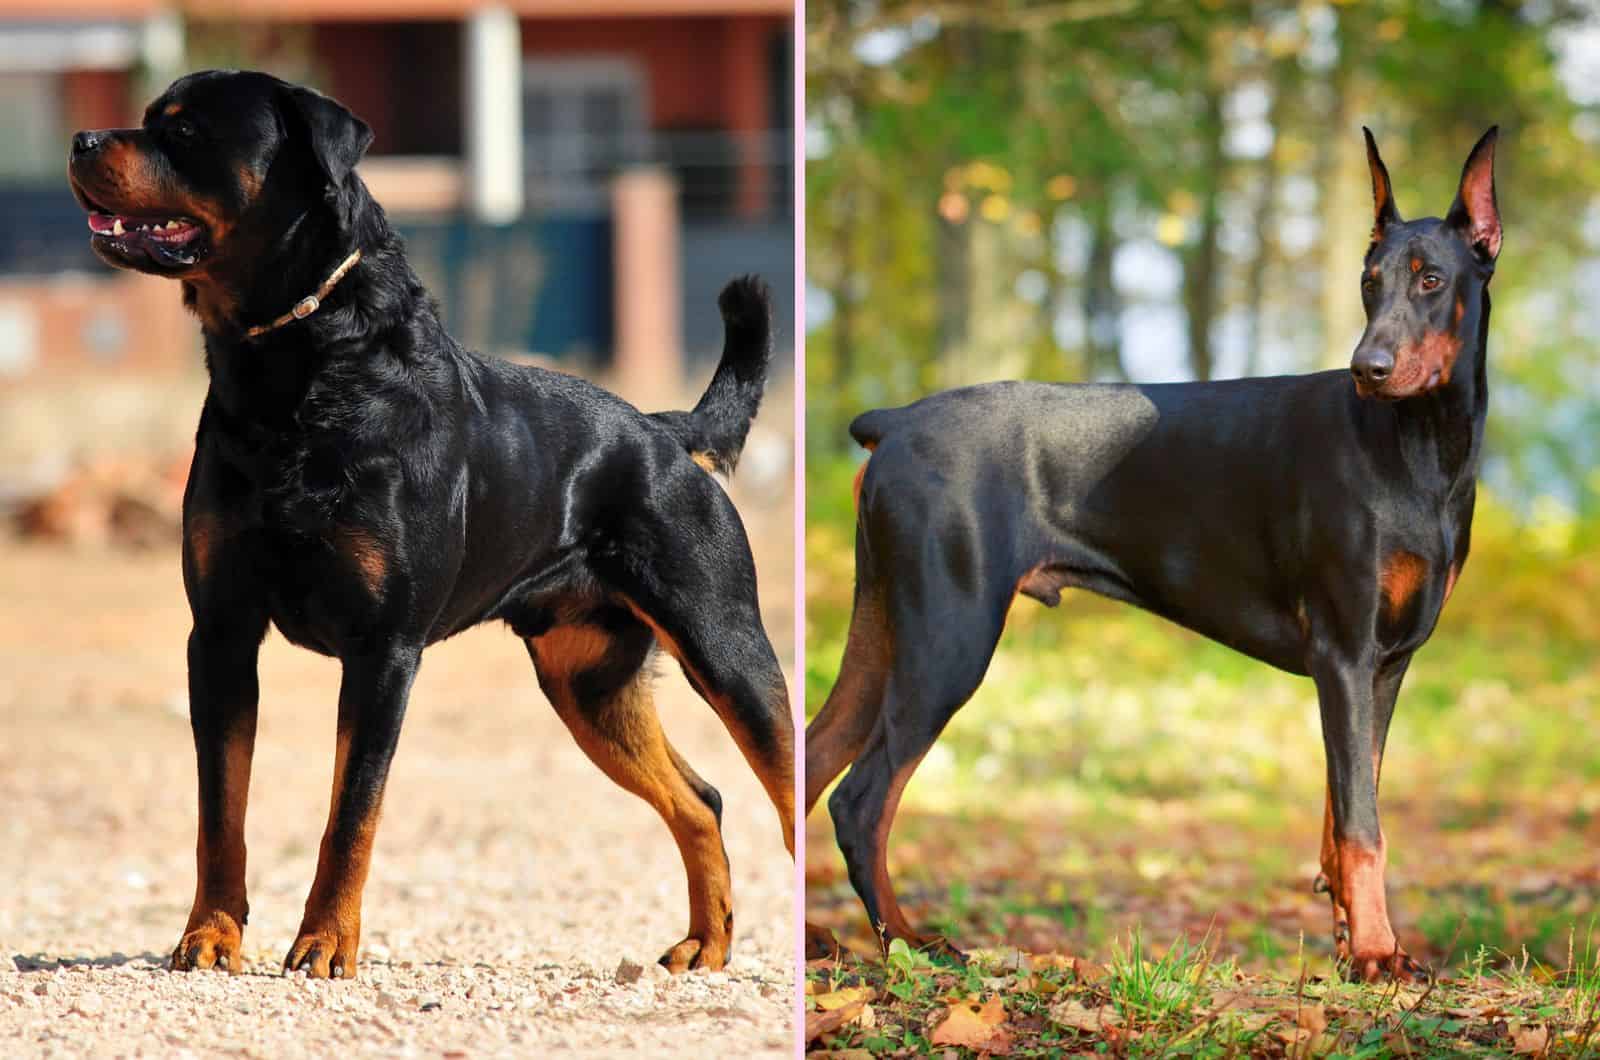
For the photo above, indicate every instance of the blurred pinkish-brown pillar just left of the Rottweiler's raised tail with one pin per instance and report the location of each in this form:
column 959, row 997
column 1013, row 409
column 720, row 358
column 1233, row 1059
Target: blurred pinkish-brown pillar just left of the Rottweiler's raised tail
column 649, row 291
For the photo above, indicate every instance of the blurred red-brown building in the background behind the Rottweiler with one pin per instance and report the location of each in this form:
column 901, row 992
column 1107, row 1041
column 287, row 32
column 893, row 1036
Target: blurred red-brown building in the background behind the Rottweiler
column 575, row 180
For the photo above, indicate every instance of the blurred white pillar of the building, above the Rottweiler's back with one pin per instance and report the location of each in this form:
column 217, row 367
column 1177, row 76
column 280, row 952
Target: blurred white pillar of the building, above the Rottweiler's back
column 494, row 121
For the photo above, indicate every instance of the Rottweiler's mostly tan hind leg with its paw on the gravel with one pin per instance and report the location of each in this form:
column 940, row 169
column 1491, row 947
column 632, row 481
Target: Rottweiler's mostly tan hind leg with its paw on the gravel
column 594, row 675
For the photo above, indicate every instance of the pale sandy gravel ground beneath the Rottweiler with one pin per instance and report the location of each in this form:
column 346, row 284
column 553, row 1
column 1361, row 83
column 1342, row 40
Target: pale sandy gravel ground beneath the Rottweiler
column 518, row 899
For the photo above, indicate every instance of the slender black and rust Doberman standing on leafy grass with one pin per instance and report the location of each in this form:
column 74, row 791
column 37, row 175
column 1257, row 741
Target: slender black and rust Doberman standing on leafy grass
column 1314, row 523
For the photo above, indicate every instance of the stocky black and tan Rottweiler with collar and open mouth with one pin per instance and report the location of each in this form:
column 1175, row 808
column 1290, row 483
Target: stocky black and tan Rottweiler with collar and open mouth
column 369, row 488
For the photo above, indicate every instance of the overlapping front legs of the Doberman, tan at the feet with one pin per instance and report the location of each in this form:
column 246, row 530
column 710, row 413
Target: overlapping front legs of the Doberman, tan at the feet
column 1354, row 851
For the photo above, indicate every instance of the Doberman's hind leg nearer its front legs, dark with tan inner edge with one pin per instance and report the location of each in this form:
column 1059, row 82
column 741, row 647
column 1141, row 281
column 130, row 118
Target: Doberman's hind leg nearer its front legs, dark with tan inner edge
column 938, row 662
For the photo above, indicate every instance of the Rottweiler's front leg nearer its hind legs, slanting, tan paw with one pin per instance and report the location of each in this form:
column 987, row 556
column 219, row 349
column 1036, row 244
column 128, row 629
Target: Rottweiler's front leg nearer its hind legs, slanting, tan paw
column 372, row 705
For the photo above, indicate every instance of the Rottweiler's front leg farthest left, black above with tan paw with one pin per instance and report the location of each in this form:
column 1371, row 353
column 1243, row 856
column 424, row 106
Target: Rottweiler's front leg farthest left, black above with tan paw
column 223, row 697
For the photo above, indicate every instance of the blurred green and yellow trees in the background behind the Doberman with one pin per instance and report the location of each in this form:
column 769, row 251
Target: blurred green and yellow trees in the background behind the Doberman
column 1002, row 190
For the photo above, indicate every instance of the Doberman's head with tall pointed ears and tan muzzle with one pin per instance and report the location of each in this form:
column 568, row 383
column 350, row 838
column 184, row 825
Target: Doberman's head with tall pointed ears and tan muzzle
column 1423, row 281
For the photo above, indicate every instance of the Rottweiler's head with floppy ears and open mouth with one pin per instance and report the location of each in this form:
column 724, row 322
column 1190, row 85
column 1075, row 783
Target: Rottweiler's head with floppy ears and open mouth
column 223, row 164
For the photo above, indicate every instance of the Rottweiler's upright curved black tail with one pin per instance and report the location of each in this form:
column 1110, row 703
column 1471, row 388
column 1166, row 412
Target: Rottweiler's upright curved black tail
column 716, row 430
